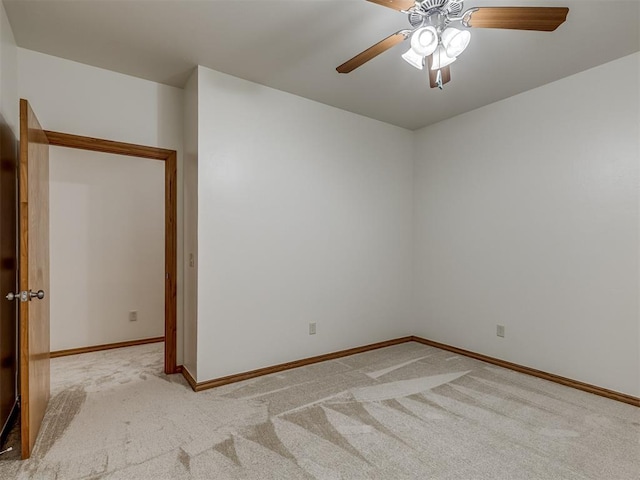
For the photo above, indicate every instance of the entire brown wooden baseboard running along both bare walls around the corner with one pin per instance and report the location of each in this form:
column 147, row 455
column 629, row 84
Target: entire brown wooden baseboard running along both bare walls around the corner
column 603, row 392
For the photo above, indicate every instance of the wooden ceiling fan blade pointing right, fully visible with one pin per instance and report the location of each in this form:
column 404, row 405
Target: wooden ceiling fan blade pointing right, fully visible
column 544, row 19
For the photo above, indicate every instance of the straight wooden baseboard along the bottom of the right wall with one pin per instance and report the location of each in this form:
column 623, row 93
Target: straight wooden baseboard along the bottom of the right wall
column 586, row 387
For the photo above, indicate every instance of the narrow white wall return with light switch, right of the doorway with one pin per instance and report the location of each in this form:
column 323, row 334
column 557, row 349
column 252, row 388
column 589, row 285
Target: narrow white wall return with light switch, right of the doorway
column 191, row 224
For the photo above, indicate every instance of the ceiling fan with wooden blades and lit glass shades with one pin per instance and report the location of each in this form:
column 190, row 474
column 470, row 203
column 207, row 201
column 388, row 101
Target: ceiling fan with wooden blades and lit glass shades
column 435, row 44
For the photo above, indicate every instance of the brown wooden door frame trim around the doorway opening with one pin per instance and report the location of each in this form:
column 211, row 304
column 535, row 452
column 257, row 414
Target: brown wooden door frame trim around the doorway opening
column 169, row 157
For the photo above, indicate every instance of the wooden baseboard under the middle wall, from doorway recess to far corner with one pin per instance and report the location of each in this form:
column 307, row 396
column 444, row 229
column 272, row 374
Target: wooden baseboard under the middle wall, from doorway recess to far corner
column 289, row 365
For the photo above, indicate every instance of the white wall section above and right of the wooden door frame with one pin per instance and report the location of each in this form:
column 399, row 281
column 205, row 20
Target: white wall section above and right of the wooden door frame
column 74, row 98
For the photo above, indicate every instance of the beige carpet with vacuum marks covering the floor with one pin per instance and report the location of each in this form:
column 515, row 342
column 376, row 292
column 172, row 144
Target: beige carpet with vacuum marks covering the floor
column 403, row 412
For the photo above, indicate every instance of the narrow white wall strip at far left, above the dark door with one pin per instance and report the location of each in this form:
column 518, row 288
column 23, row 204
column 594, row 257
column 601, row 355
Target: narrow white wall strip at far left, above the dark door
column 9, row 104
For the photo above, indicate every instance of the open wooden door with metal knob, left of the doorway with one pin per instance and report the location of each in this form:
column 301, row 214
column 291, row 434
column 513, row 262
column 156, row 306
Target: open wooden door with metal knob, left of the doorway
column 34, row 276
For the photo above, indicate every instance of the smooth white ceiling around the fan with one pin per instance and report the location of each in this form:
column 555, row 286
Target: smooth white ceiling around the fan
column 295, row 45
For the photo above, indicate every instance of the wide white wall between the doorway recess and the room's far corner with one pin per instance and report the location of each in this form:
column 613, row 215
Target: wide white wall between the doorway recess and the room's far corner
column 304, row 215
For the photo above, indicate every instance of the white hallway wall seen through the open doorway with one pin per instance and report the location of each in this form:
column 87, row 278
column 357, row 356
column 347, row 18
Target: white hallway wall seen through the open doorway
column 106, row 248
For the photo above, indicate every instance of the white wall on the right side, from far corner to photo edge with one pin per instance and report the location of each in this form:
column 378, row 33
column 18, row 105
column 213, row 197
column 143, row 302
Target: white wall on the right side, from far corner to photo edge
column 527, row 216
